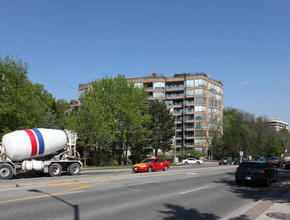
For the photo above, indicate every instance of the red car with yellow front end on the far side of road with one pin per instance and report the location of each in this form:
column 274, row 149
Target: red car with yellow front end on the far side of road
column 151, row 164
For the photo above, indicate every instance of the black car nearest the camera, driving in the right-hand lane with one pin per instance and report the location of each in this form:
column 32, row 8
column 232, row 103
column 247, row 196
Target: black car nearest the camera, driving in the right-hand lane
column 259, row 172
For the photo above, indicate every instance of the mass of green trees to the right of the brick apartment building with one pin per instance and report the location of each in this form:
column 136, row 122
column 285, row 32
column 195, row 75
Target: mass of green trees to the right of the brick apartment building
column 253, row 136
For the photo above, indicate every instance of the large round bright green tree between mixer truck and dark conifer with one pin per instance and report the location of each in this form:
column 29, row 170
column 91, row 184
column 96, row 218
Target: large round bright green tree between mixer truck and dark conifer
column 112, row 116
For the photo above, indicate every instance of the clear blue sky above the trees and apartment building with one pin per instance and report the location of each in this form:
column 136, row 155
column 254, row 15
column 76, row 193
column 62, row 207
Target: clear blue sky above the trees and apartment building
column 243, row 43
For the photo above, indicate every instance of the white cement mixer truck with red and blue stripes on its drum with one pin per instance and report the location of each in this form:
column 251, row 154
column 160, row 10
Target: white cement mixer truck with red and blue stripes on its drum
column 44, row 151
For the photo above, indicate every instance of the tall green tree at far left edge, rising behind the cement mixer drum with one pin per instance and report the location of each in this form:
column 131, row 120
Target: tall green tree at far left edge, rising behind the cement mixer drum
column 21, row 106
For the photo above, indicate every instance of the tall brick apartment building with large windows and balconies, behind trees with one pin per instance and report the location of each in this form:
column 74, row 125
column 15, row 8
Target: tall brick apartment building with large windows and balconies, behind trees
column 195, row 100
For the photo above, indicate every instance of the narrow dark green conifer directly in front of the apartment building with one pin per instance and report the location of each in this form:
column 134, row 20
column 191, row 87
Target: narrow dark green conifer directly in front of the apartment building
column 161, row 126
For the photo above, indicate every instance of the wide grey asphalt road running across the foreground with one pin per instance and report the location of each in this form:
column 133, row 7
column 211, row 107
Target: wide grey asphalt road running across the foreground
column 191, row 192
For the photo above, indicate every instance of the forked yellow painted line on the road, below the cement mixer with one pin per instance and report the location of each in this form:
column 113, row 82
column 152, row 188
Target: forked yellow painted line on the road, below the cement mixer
column 81, row 186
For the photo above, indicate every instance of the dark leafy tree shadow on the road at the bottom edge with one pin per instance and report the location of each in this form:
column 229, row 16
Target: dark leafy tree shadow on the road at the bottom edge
column 176, row 212
